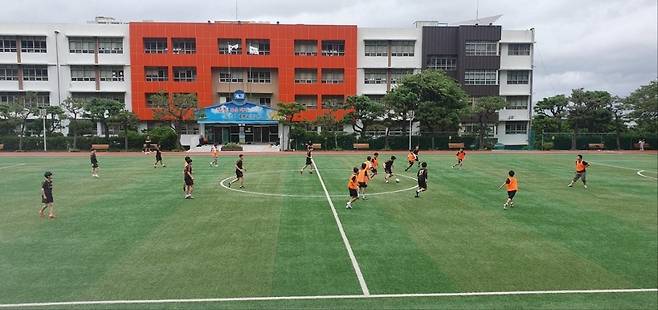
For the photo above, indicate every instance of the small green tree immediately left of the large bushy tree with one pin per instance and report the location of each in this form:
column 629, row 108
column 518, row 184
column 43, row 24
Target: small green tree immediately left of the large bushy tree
column 363, row 112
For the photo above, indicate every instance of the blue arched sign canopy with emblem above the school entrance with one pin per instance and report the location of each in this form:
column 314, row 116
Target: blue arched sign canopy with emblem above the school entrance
column 238, row 111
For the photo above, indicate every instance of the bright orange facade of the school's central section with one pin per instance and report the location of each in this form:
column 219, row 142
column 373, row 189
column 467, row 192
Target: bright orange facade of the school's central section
column 207, row 58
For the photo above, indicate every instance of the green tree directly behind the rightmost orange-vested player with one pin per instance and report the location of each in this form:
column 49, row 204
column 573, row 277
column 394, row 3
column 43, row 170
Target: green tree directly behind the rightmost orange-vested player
column 588, row 112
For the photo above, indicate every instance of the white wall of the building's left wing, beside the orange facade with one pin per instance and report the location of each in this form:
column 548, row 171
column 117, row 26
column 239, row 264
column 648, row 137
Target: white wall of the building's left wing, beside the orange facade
column 58, row 52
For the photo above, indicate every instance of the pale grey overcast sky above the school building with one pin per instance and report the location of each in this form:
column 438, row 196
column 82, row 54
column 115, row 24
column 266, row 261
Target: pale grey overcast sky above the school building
column 596, row 44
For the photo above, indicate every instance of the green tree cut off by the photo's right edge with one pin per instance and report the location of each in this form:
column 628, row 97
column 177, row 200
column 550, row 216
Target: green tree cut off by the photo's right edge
column 643, row 103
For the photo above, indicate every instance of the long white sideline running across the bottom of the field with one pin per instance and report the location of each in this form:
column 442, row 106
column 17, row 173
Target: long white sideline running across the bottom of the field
column 320, row 297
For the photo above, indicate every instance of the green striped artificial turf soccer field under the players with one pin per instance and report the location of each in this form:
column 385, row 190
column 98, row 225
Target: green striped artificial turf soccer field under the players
column 130, row 235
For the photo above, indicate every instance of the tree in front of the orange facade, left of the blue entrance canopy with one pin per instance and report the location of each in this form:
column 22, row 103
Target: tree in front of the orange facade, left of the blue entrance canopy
column 177, row 110
